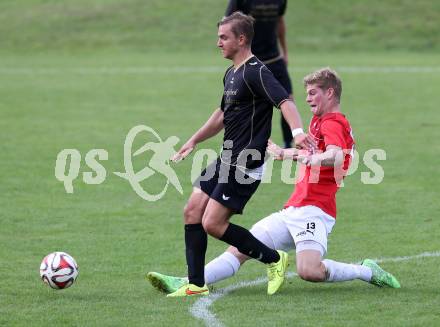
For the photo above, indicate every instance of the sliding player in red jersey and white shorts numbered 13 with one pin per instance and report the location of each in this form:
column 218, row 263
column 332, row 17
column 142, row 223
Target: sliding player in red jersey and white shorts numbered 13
column 310, row 213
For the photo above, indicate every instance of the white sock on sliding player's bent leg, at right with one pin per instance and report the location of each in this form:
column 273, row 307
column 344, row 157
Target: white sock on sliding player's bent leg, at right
column 339, row 272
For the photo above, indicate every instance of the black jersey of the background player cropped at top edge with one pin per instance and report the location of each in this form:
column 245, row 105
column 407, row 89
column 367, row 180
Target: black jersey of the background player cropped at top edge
column 267, row 14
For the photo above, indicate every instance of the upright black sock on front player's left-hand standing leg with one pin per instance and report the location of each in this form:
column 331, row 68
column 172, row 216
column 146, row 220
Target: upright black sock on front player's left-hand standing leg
column 196, row 242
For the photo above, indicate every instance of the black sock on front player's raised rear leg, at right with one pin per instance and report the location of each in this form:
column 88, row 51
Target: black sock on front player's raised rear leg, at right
column 248, row 244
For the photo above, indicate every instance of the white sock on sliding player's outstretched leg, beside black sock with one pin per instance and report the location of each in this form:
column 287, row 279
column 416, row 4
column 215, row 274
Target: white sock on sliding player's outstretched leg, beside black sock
column 222, row 267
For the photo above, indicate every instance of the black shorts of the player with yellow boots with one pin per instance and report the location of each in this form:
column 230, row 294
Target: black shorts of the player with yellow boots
column 227, row 184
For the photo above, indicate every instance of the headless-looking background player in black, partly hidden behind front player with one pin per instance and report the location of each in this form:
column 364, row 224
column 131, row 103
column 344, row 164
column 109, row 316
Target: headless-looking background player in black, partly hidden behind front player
column 269, row 29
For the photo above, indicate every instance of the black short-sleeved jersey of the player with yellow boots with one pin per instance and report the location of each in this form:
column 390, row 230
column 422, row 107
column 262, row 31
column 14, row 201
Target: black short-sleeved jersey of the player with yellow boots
column 250, row 93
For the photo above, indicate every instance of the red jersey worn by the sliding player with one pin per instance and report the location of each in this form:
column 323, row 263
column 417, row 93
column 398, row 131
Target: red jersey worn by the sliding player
column 318, row 185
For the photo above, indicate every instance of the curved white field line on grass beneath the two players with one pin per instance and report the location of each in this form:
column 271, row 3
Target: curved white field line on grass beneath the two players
column 200, row 308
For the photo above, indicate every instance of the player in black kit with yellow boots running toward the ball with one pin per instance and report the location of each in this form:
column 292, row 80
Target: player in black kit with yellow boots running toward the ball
column 225, row 186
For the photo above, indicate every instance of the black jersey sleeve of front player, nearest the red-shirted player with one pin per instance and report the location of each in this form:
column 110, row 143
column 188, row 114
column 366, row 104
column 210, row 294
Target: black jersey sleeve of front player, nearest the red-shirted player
column 262, row 82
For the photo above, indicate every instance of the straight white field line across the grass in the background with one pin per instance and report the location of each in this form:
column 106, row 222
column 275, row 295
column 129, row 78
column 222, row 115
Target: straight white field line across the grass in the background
column 144, row 70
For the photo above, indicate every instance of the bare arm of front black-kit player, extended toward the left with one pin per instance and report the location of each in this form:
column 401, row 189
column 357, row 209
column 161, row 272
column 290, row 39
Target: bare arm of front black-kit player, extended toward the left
column 211, row 128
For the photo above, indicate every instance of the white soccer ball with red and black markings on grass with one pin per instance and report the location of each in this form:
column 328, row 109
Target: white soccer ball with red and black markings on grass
column 58, row 270
